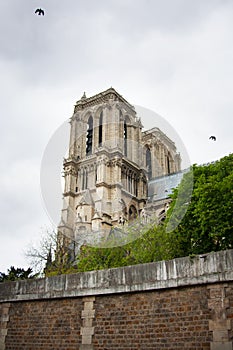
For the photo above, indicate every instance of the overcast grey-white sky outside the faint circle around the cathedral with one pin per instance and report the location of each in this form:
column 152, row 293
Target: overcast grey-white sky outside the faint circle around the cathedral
column 174, row 57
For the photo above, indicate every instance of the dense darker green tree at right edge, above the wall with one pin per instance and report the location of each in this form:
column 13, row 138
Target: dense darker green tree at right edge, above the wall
column 208, row 223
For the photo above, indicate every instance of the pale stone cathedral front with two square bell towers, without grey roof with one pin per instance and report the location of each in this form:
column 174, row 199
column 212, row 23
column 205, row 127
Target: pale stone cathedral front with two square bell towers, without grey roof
column 110, row 165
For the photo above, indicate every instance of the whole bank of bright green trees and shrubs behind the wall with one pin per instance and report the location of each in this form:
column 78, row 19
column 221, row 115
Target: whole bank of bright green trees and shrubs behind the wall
column 206, row 226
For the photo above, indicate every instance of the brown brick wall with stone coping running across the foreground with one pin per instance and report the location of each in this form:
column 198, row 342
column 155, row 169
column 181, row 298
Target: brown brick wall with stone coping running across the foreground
column 185, row 303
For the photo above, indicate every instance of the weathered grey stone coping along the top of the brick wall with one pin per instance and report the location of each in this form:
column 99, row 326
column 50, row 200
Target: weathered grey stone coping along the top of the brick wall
column 201, row 269
